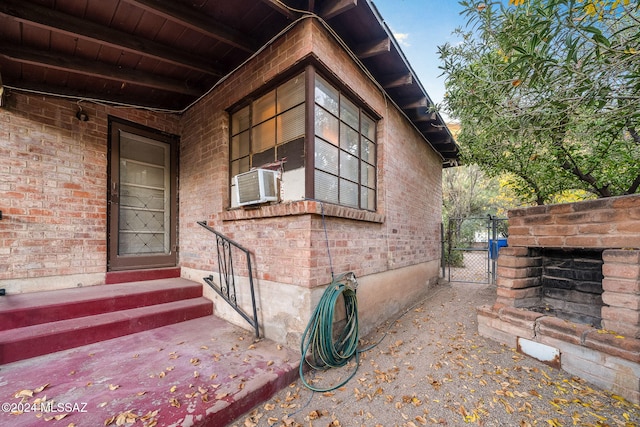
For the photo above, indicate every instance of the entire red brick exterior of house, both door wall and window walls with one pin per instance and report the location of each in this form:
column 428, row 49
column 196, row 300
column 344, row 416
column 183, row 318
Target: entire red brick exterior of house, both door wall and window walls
column 53, row 183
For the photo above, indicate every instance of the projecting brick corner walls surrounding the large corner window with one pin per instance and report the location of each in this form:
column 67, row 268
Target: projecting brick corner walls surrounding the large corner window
column 290, row 246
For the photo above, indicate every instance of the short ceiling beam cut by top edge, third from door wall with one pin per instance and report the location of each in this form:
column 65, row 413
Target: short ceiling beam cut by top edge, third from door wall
column 176, row 12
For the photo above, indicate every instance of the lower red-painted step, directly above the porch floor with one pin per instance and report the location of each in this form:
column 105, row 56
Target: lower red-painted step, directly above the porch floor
column 22, row 343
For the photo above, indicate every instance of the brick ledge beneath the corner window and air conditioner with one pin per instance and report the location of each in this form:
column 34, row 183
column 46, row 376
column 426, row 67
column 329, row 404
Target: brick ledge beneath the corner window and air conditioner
column 302, row 207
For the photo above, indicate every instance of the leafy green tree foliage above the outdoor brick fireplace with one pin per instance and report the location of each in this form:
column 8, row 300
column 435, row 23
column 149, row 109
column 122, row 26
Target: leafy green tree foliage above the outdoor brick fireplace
column 549, row 91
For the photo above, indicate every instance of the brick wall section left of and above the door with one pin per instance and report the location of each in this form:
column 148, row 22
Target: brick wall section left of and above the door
column 53, row 182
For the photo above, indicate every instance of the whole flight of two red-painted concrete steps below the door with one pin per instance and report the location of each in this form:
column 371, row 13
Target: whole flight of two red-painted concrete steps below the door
column 41, row 323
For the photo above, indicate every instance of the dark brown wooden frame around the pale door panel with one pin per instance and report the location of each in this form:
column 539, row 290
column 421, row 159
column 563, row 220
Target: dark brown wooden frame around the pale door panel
column 116, row 262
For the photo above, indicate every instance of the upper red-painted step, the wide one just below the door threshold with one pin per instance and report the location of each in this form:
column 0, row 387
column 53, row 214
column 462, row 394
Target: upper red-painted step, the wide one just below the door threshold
column 20, row 310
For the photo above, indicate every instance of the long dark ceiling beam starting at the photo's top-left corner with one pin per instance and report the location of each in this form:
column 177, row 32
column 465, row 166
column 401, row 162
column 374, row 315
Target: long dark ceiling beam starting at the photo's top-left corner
column 58, row 22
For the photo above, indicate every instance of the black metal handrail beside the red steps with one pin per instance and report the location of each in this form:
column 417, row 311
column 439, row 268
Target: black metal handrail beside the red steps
column 226, row 276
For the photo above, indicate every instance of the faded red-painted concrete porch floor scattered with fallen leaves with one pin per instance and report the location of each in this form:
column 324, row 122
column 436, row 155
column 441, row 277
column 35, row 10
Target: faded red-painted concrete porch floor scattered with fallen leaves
column 202, row 372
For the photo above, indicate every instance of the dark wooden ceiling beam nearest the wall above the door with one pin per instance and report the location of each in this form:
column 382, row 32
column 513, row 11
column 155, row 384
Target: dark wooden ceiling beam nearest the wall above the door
column 93, row 69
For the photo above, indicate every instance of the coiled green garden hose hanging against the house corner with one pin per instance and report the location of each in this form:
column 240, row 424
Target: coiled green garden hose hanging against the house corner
column 317, row 339
